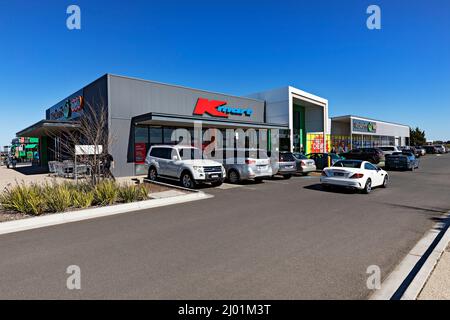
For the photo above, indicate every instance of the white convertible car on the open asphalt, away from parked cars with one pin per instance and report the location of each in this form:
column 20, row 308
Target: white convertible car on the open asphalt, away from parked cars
column 355, row 174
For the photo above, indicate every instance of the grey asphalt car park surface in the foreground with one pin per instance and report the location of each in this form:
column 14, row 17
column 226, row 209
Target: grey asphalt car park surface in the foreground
column 280, row 239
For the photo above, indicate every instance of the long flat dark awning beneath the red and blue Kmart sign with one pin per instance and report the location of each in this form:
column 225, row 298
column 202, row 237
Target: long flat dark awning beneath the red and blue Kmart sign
column 188, row 121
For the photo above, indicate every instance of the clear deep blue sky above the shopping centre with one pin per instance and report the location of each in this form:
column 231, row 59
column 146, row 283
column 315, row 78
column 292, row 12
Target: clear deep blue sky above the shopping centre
column 400, row 73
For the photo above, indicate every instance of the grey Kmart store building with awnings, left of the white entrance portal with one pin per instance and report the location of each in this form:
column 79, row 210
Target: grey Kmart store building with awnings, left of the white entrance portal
column 143, row 113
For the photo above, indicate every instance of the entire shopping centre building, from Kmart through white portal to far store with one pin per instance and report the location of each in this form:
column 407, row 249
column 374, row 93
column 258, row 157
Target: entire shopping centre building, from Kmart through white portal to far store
column 143, row 113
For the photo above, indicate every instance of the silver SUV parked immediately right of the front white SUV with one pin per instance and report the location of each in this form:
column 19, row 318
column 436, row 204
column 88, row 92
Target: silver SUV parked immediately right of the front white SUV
column 244, row 164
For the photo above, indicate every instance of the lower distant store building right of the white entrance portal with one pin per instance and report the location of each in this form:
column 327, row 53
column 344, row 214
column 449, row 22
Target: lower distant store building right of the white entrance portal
column 350, row 132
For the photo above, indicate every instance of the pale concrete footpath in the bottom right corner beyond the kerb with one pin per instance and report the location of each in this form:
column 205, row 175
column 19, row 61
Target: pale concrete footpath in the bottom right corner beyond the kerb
column 437, row 286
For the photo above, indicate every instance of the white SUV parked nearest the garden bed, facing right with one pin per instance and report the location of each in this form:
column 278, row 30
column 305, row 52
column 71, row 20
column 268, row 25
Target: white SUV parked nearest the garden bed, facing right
column 183, row 163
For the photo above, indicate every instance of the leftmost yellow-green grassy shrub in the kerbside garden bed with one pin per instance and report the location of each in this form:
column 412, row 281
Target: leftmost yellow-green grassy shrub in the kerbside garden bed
column 24, row 199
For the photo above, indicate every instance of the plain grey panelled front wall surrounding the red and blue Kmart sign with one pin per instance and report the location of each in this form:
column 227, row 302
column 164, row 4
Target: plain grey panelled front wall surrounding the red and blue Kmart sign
column 129, row 98
